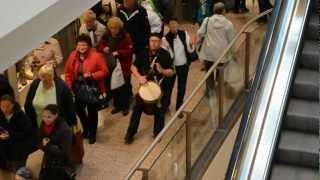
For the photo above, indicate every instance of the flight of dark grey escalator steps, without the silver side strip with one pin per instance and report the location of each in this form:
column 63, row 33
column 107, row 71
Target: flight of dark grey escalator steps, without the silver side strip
column 297, row 155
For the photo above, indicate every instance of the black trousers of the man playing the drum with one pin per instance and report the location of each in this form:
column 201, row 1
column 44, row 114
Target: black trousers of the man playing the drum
column 159, row 115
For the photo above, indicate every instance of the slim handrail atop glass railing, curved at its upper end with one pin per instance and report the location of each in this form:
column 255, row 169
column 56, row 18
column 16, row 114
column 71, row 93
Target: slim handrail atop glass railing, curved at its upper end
column 196, row 89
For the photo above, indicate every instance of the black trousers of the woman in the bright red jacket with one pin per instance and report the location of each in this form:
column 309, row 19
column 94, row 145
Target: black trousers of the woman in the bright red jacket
column 88, row 115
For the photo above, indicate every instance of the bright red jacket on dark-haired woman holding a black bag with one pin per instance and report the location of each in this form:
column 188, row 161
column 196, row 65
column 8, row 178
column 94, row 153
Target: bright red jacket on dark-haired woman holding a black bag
column 94, row 63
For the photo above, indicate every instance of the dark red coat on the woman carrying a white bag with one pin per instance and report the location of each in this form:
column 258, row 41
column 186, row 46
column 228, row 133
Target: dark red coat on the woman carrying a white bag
column 125, row 50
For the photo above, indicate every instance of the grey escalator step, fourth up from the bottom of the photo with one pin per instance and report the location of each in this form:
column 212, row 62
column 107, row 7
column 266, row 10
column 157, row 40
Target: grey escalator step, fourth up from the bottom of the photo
column 306, row 85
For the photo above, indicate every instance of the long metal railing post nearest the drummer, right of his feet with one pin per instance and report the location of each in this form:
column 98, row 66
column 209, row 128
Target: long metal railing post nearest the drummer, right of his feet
column 188, row 147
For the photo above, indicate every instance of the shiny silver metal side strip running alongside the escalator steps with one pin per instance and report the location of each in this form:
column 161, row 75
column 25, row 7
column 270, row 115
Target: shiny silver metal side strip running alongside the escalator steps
column 262, row 117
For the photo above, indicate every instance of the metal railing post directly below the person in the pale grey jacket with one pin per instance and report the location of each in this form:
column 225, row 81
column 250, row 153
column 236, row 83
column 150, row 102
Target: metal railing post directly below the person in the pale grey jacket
column 220, row 94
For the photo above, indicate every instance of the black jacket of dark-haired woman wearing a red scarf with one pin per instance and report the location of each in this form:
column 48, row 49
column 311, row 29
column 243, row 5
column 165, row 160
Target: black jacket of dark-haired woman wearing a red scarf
column 57, row 153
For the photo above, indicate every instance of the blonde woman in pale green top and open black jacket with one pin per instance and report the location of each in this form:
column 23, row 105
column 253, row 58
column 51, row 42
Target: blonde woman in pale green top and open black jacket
column 48, row 89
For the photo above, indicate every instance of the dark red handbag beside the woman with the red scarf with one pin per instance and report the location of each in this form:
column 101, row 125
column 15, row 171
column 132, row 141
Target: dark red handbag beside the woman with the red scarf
column 77, row 145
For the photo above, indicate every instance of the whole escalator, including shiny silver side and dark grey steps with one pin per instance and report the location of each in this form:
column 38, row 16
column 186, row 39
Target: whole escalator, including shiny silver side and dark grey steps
column 278, row 137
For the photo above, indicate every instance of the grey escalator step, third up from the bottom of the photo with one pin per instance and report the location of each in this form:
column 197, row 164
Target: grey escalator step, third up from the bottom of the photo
column 303, row 116
